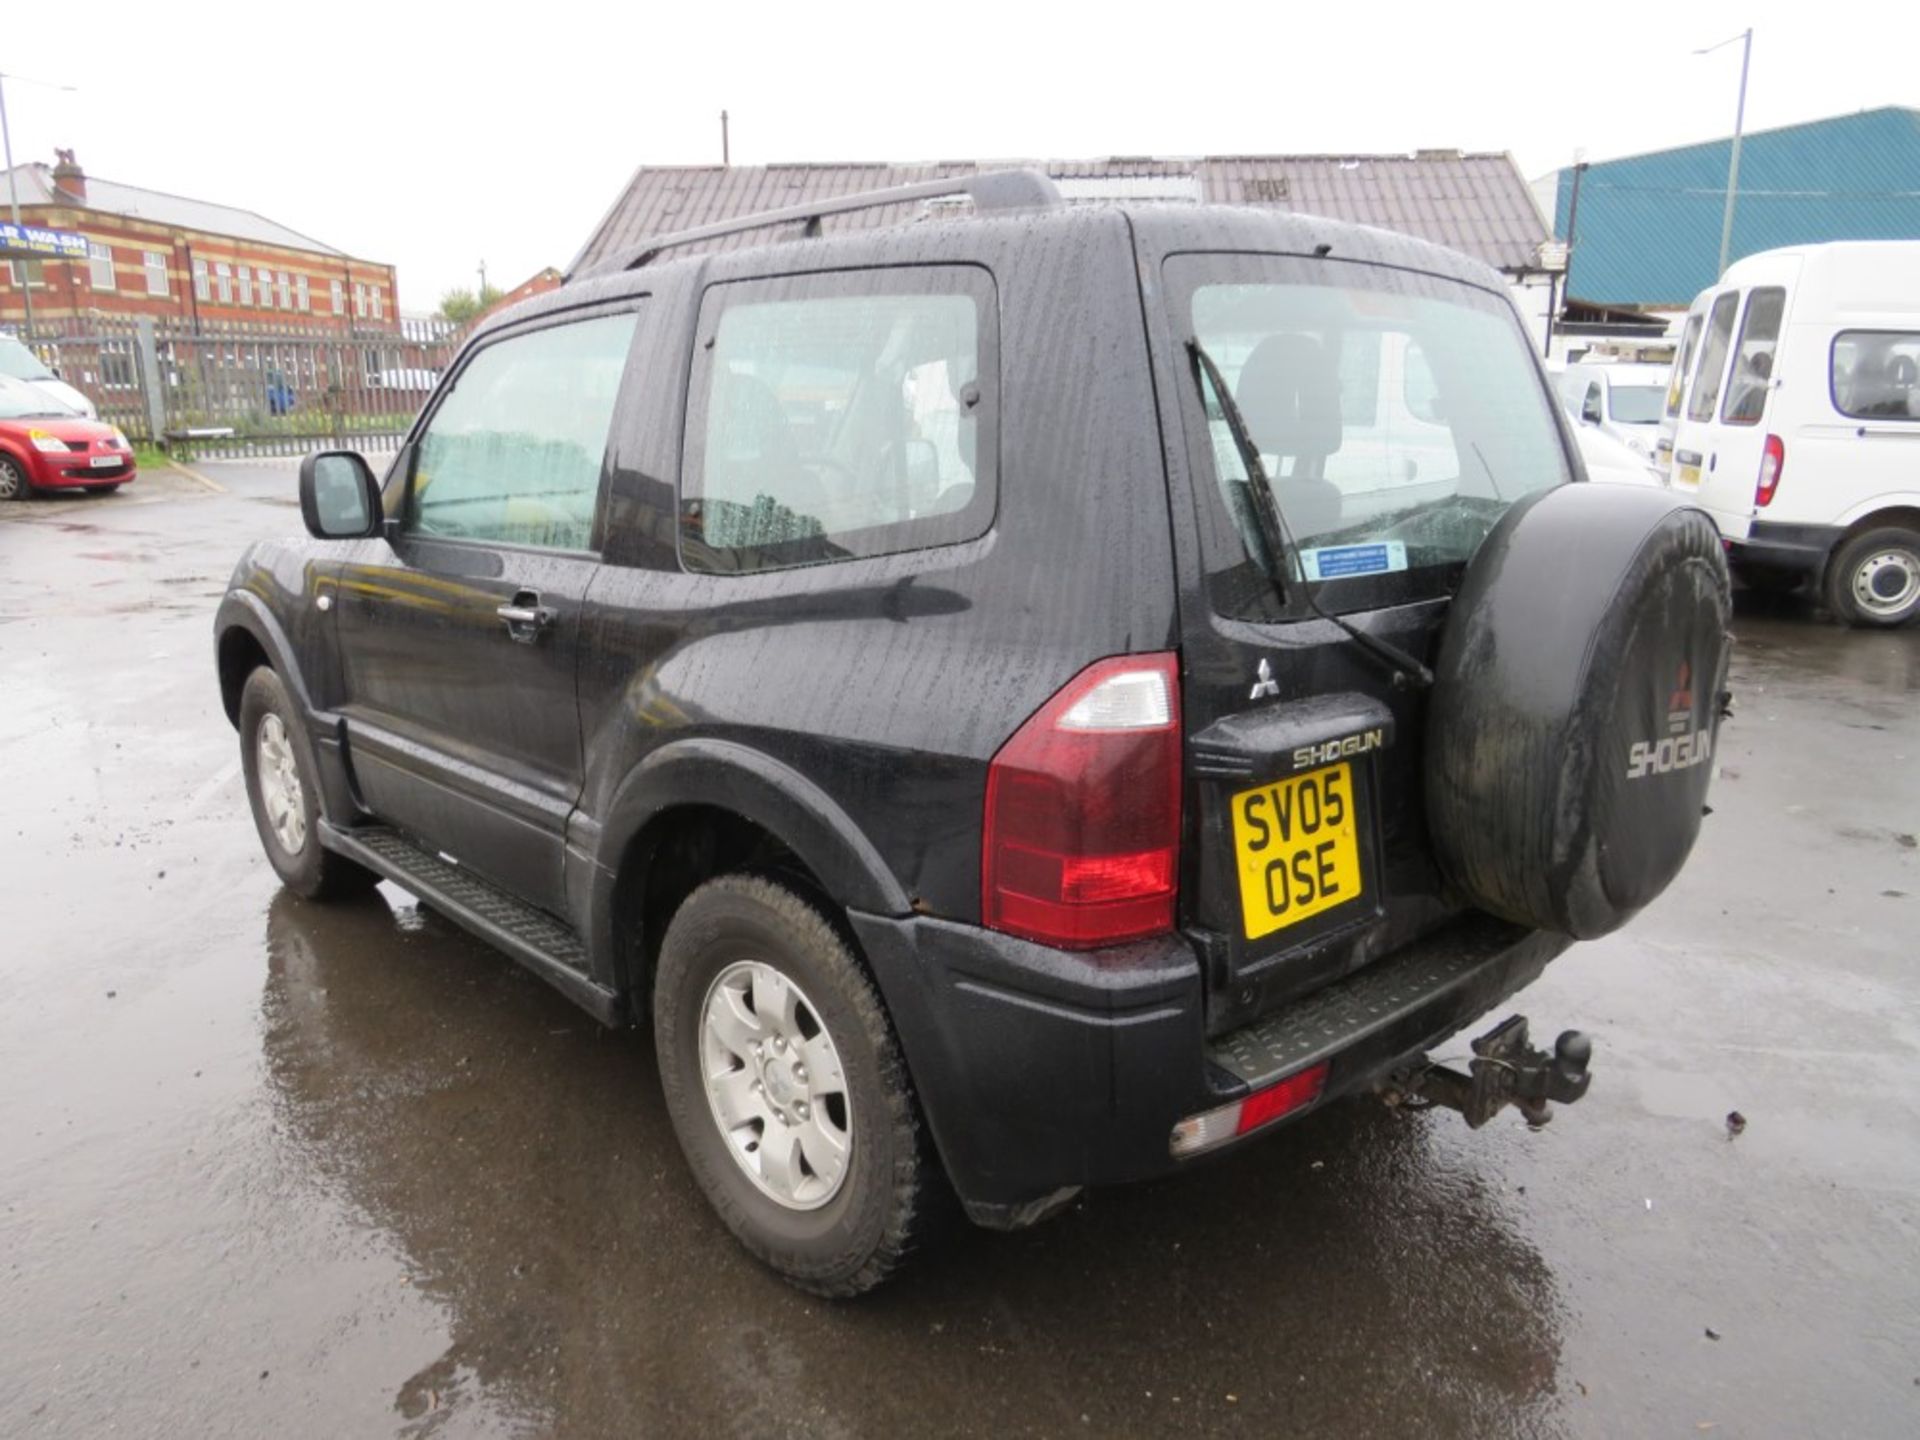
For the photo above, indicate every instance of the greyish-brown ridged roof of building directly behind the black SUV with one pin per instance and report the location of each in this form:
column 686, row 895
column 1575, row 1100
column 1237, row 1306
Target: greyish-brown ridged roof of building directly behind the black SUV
column 1477, row 204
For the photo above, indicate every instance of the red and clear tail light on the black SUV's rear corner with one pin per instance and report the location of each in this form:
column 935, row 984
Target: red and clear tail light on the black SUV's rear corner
column 1084, row 811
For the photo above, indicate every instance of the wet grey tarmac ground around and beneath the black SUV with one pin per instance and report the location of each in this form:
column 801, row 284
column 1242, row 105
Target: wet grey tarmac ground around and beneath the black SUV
column 270, row 1168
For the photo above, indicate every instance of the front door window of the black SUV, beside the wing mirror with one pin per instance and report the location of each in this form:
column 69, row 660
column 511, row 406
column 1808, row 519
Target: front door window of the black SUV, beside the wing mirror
column 514, row 452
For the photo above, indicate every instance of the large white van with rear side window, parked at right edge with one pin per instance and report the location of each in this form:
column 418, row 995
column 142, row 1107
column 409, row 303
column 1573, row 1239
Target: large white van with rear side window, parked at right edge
column 1794, row 416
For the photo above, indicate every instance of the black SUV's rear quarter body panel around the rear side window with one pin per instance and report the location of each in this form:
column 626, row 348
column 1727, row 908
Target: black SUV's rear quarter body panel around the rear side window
column 890, row 683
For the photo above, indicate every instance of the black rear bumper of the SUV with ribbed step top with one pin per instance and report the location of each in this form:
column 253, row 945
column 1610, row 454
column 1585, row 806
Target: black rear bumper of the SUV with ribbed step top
column 1042, row 1072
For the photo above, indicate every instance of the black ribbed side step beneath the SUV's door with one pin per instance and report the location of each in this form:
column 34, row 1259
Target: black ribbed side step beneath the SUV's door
column 531, row 936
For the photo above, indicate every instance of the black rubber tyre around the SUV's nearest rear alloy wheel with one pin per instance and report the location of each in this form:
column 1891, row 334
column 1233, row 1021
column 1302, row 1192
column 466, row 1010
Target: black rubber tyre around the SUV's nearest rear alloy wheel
column 892, row 1191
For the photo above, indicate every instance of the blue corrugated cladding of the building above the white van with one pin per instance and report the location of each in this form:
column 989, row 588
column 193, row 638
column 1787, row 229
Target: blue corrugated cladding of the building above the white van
column 1650, row 226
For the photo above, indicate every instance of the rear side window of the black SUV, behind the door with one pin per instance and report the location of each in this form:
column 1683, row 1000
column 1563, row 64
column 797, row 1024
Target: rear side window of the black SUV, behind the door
column 840, row 416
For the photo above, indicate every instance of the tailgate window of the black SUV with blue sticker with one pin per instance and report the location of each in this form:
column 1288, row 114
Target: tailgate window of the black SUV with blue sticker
column 1397, row 418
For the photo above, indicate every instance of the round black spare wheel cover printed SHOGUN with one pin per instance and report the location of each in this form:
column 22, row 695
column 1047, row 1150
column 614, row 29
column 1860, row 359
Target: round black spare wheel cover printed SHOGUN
column 1575, row 708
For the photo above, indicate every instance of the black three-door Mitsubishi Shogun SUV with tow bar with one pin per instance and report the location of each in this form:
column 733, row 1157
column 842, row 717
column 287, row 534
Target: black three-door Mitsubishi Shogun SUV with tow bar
column 1017, row 700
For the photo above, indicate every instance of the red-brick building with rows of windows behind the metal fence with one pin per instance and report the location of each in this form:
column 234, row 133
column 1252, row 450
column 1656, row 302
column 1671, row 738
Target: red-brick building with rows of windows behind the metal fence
column 181, row 260
